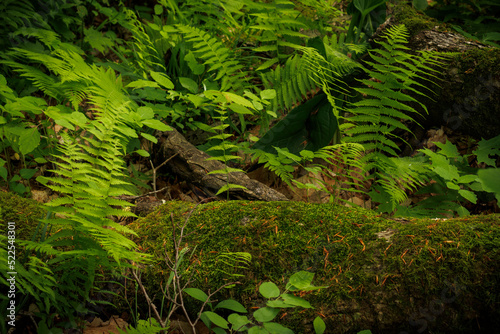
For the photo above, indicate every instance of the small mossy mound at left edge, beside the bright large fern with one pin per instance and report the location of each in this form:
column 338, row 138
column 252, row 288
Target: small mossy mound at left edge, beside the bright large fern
column 22, row 211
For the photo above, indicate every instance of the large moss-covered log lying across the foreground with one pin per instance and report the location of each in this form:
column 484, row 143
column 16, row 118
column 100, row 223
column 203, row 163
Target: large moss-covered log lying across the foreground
column 383, row 274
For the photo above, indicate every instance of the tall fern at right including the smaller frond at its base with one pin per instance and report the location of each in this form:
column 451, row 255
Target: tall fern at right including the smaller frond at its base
column 378, row 117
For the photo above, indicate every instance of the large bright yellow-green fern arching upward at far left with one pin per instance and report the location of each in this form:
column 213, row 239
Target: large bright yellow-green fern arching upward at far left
column 90, row 175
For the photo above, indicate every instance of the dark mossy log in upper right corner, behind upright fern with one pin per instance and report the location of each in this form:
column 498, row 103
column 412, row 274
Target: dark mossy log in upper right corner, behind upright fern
column 467, row 94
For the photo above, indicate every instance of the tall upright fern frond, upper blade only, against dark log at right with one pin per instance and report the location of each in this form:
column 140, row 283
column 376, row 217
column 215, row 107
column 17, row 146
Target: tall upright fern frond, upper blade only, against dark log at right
column 393, row 73
